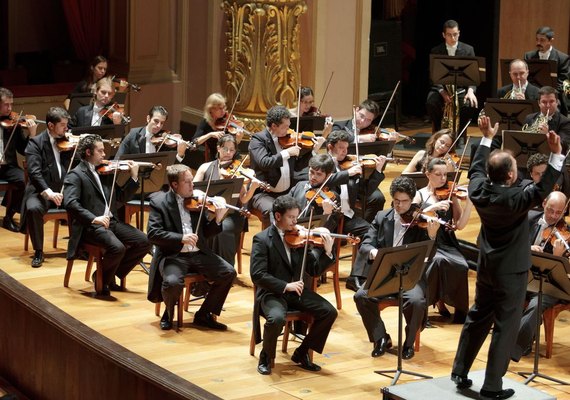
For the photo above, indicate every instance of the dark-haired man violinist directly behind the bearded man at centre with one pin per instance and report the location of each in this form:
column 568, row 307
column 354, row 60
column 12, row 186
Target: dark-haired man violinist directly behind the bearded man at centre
column 351, row 185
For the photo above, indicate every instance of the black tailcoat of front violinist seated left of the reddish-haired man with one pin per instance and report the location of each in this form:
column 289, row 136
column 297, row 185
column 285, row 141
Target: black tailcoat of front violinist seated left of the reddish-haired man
column 84, row 200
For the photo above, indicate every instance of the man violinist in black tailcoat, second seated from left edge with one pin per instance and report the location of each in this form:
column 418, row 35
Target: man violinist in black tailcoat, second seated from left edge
column 47, row 168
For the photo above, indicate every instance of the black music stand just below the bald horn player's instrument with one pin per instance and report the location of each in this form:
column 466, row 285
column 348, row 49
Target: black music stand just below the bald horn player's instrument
column 510, row 114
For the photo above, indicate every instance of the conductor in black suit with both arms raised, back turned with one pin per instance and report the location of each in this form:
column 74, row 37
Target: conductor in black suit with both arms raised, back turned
column 504, row 257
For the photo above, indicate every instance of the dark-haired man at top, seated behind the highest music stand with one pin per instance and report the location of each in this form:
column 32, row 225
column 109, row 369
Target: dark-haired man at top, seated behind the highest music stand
column 439, row 96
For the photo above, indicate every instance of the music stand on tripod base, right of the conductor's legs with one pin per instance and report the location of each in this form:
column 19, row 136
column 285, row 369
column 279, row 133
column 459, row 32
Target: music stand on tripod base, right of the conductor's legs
column 548, row 275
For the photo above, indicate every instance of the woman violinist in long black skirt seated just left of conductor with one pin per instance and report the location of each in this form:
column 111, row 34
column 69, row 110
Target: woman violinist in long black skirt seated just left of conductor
column 447, row 273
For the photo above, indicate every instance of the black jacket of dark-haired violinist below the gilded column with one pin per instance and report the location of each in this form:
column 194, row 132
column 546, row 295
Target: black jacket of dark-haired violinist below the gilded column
column 265, row 160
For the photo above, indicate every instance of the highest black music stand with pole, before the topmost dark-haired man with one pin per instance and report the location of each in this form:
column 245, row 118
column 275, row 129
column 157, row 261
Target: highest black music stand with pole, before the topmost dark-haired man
column 457, row 71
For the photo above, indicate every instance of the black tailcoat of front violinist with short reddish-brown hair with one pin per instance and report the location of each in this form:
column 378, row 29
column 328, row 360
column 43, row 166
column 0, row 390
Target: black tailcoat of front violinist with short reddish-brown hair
column 165, row 232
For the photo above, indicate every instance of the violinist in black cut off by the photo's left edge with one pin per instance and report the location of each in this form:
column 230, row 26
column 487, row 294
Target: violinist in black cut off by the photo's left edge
column 12, row 140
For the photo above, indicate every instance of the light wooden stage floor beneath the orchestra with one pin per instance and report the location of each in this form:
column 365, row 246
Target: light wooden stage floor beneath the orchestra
column 220, row 362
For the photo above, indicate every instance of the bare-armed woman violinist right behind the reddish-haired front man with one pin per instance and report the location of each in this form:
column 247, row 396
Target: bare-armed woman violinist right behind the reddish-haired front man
column 226, row 243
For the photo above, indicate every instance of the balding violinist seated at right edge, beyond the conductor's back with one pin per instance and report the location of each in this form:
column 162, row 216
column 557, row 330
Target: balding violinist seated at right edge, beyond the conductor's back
column 540, row 222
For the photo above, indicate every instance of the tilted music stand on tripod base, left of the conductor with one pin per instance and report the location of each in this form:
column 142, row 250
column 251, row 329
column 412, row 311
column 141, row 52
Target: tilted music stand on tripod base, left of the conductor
column 395, row 270
